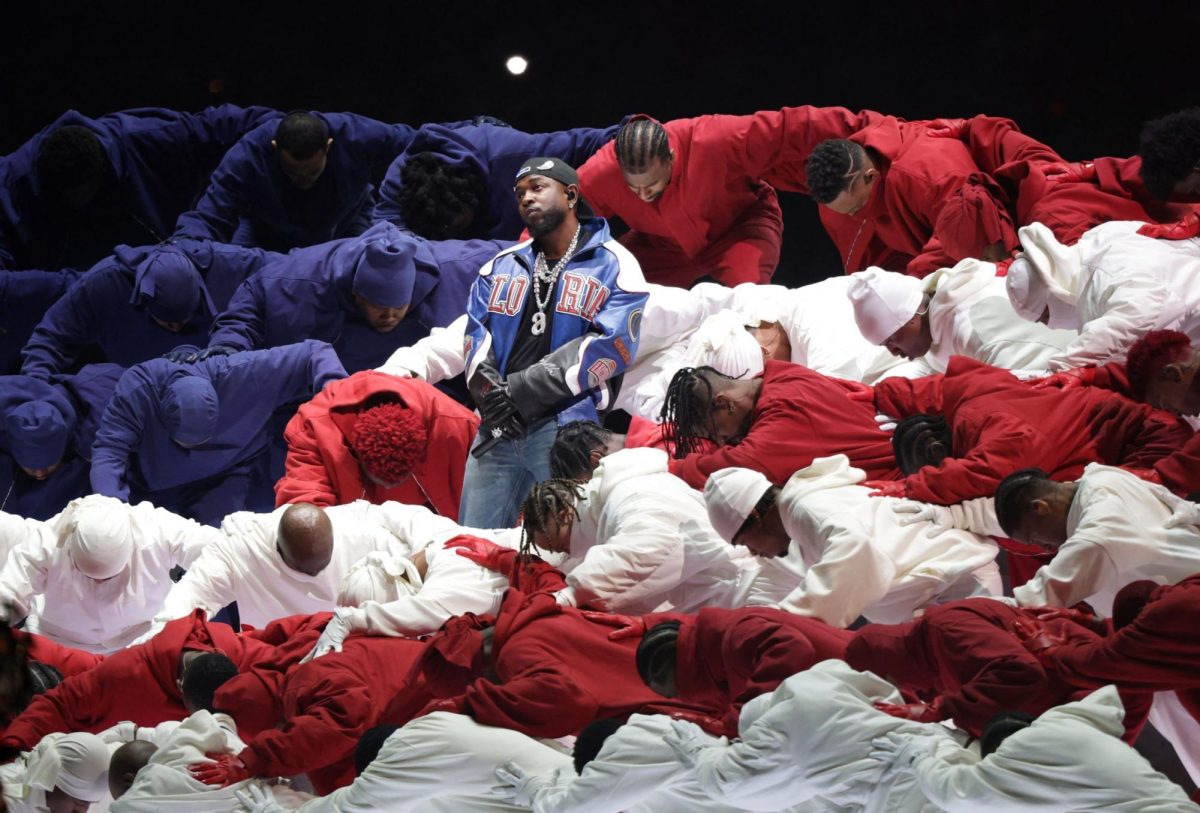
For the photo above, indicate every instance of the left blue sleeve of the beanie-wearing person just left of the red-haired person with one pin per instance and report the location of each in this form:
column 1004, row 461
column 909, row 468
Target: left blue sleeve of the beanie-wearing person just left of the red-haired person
column 121, row 430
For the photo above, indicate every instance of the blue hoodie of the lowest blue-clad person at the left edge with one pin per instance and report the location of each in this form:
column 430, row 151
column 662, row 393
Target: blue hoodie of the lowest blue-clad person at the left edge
column 82, row 400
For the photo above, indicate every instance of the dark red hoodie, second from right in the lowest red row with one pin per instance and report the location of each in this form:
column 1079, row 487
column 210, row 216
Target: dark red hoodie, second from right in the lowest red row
column 969, row 655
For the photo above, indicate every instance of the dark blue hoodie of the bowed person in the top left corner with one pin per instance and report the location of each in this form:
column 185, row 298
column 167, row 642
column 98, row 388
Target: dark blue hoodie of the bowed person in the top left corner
column 160, row 160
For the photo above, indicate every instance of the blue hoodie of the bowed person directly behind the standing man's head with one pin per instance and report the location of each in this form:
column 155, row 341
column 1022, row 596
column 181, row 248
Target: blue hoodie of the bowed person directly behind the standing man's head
column 497, row 153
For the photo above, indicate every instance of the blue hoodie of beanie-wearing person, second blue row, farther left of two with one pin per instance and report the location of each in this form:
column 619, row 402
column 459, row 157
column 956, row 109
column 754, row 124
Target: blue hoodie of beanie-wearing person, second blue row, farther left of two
column 98, row 310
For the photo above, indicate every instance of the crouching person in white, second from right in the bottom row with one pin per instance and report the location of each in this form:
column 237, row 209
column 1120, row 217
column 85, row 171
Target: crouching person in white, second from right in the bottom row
column 811, row 742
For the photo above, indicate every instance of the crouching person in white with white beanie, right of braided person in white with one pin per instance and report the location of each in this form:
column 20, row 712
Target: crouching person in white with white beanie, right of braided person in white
column 856, row 556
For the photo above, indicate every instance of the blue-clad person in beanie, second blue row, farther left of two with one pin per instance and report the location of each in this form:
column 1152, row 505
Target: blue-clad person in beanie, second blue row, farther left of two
column 141, row 304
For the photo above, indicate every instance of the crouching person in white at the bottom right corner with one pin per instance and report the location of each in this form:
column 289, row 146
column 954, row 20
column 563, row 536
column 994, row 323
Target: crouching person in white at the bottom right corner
column 1070, row 761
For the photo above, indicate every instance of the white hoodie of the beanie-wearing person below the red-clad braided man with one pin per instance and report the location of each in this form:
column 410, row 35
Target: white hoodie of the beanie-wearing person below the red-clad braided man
column 860, row 561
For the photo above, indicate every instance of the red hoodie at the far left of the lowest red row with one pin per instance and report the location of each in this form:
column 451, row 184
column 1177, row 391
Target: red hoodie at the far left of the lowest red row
column 137, row 684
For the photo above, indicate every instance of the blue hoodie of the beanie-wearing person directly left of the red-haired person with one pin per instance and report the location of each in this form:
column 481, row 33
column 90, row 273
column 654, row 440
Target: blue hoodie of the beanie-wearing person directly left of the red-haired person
column 135, row 454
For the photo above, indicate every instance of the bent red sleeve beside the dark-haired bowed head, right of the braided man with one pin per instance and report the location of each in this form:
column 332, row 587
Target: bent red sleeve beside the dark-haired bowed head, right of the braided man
column 1005, row 447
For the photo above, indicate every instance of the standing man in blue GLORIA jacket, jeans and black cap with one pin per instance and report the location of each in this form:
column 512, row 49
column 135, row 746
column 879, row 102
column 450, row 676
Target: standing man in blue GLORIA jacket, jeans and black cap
column 553, row 324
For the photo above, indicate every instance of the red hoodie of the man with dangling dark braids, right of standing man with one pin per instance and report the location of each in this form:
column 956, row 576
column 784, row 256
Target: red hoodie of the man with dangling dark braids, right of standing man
column 801, row 415
